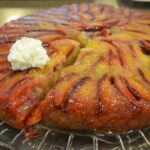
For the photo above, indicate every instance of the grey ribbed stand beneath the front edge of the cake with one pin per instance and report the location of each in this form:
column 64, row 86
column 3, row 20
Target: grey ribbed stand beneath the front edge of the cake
column 53, row 139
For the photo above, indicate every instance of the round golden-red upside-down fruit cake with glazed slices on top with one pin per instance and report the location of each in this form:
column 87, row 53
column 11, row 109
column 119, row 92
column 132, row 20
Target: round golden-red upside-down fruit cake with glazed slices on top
column 98, row 76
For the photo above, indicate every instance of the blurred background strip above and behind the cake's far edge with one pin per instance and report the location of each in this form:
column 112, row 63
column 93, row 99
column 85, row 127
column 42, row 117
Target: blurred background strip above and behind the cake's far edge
column 13, row 9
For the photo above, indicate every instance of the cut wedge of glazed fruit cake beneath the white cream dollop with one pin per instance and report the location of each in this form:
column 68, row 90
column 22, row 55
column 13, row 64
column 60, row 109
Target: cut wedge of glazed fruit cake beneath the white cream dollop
column 22, row 91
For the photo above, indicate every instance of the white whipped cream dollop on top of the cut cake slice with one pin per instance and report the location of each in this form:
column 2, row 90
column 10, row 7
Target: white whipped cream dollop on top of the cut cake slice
column 28, row 53
